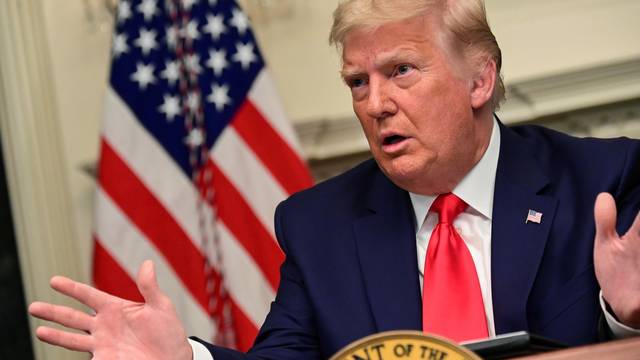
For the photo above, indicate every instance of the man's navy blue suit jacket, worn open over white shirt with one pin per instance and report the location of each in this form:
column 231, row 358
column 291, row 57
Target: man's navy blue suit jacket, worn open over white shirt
column 351, row 265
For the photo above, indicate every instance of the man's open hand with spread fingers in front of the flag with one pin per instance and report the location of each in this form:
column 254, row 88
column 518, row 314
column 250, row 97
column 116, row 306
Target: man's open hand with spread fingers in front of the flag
column 120, row 329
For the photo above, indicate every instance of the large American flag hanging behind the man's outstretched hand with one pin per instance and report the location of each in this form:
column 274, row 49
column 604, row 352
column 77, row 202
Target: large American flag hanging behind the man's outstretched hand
column 195, row 154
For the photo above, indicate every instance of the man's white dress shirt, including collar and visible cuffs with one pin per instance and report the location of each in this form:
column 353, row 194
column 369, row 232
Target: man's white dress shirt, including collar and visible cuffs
column 474, row 226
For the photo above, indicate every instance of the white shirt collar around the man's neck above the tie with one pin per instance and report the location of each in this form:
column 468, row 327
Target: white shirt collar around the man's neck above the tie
column 476, row 188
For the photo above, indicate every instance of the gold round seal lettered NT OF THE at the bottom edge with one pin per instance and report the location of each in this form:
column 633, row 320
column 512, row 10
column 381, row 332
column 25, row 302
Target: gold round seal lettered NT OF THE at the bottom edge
column 404, row 345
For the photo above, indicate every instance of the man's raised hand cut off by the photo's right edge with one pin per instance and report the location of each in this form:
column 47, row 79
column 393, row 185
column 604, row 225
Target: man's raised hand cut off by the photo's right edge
column 617, row 262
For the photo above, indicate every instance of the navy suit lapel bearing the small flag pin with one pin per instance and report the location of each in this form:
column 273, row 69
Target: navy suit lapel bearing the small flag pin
column 517, row 247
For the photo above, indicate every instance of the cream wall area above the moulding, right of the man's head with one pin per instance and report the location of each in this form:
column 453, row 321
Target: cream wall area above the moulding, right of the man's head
column 545, row 37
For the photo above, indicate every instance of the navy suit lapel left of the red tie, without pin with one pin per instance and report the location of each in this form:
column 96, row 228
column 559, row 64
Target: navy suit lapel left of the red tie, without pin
column 385, row 242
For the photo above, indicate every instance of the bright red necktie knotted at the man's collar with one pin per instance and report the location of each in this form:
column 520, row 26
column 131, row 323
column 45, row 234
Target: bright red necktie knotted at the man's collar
column 451, row 298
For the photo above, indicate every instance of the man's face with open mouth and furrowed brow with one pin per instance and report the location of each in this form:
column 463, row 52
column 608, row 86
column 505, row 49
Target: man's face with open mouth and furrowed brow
column 413, row 96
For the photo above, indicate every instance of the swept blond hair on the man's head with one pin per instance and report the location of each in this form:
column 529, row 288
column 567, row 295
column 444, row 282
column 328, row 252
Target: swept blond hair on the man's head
column 466, row 20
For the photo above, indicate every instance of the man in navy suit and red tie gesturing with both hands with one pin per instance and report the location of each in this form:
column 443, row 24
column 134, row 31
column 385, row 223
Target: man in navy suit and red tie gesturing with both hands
column 424, row 77
